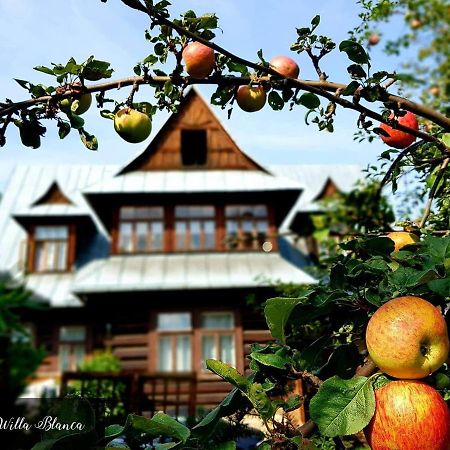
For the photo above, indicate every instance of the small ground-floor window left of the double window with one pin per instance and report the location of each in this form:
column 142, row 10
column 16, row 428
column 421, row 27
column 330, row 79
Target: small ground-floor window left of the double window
column 72, row 347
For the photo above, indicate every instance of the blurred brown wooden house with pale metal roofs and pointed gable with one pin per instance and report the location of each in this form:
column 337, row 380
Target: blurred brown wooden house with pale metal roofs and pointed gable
column 155, row 260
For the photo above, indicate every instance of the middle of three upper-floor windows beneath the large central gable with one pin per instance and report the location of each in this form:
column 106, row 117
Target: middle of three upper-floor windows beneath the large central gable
column 195, row 228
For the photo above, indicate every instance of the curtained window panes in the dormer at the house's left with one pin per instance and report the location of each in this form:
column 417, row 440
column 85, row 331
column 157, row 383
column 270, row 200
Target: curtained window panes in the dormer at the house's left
column 51, row 248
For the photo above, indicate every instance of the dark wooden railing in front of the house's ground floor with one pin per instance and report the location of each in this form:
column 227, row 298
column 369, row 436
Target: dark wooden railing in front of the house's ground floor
column 144, row 394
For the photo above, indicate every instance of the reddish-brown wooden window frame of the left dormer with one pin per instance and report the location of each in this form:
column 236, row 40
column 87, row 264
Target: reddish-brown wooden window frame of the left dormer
column 33, row 243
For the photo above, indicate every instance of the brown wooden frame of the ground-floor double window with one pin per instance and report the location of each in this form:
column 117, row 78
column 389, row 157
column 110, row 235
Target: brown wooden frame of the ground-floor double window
column 196, row 334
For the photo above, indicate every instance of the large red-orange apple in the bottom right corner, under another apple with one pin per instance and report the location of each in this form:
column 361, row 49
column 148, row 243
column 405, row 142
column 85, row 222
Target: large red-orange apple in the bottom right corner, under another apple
column 409, row 415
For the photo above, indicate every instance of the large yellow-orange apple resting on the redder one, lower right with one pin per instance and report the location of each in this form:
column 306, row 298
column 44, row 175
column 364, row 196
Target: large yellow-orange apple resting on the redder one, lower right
column 407, row 338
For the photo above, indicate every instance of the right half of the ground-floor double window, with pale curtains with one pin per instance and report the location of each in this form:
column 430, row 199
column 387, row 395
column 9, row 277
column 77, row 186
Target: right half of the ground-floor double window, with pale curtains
column 217, row 337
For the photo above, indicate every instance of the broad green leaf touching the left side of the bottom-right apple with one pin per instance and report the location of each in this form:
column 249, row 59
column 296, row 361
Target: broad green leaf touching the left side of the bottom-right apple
column 343, row 407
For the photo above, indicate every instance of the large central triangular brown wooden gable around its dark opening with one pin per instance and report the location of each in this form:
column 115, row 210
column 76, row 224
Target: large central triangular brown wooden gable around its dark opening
column 164, row 152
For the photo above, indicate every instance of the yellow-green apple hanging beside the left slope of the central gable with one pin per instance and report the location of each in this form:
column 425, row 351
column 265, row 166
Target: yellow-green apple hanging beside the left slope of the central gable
column 133, row 126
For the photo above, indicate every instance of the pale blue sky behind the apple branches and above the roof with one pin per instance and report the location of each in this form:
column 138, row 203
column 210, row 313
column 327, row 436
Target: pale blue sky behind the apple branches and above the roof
column 41, row 32
